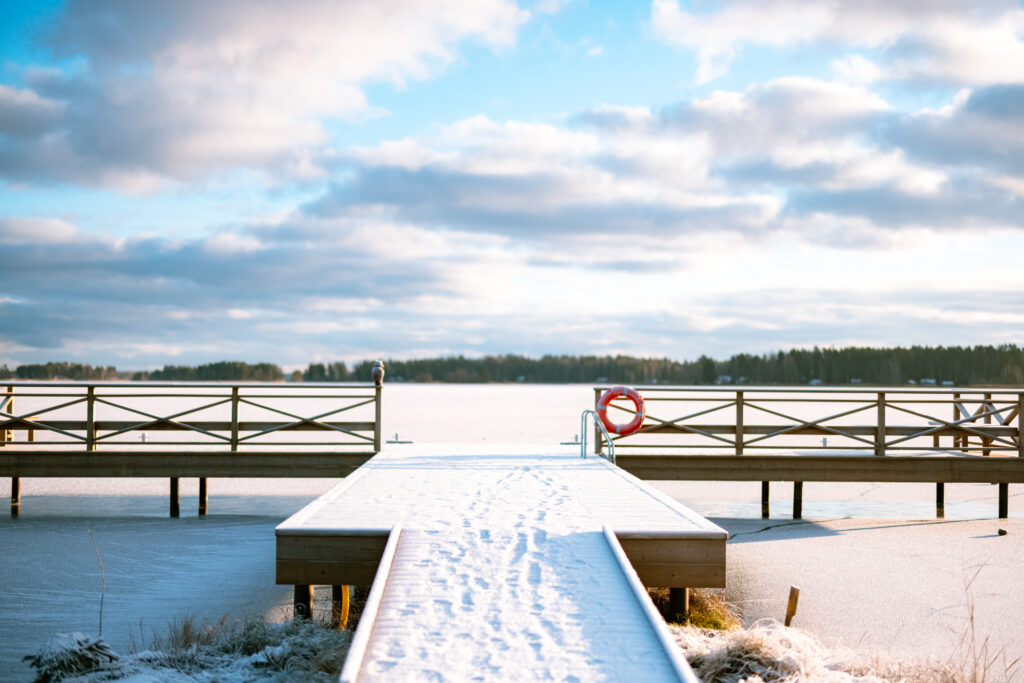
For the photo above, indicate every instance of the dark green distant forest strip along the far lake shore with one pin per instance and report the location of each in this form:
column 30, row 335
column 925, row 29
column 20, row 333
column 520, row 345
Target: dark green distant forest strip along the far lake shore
column 961, row 366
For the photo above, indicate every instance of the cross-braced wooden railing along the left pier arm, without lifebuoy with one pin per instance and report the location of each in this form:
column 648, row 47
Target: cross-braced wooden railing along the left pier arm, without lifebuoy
column 200, row 416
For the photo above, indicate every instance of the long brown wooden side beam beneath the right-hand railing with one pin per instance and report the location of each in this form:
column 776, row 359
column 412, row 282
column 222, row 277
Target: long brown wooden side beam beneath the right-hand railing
column 717, row 467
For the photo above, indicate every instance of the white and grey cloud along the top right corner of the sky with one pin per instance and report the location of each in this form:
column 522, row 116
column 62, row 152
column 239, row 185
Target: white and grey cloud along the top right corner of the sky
column 961, row 41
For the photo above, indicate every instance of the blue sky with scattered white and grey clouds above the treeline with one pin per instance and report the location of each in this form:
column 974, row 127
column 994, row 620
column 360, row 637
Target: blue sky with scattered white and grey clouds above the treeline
column 184, row 183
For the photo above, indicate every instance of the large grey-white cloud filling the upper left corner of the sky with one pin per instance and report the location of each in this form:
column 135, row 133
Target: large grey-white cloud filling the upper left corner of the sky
column 180, row 91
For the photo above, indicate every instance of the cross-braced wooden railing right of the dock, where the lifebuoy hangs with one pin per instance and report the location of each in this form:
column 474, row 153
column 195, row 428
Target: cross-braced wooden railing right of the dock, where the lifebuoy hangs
column 740, row 420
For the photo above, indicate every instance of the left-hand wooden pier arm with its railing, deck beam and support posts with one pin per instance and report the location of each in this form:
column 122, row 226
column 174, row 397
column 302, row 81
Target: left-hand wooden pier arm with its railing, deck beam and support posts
column 186, row 430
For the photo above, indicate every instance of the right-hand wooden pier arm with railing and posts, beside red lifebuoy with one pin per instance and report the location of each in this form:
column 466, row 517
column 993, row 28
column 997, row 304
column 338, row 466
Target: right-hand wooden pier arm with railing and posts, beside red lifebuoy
column 799, row 435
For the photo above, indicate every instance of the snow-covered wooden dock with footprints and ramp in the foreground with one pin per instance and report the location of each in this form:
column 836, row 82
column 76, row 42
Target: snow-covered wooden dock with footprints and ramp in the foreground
column 504, row 563
